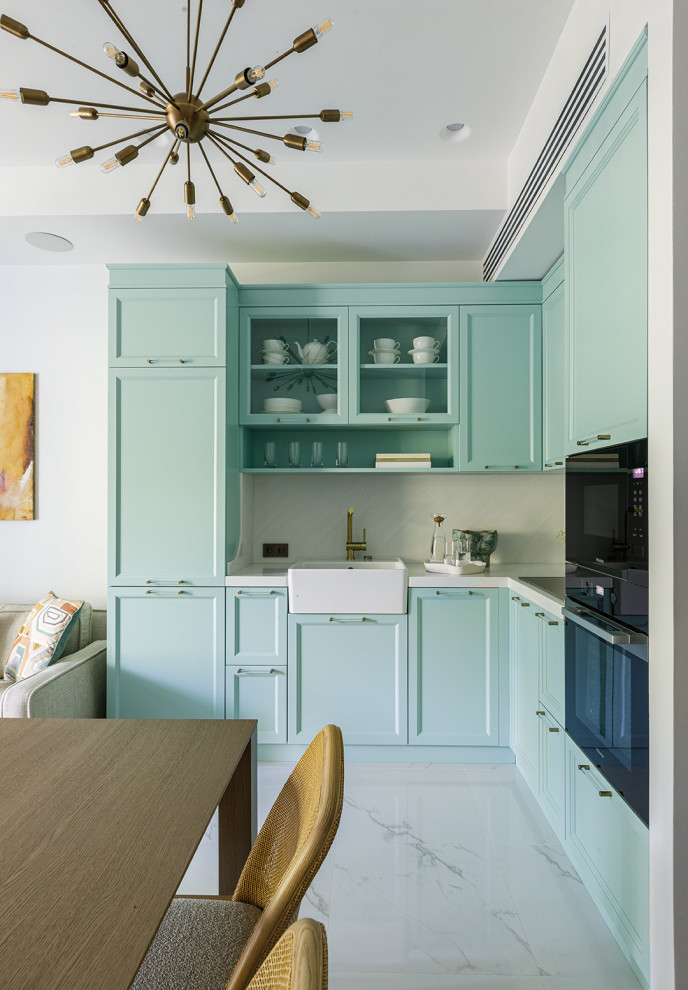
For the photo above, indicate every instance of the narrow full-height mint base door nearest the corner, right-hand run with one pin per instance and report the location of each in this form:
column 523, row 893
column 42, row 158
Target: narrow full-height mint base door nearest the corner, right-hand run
column 525, row 662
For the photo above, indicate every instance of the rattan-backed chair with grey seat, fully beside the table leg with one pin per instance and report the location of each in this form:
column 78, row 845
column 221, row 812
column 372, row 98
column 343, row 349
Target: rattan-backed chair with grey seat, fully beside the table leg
column 209, row 943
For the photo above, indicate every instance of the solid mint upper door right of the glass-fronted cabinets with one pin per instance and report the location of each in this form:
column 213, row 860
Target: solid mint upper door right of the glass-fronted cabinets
column 501, row 388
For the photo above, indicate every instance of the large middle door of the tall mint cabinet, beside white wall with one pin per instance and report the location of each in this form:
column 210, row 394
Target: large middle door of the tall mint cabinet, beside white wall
column 167, row 477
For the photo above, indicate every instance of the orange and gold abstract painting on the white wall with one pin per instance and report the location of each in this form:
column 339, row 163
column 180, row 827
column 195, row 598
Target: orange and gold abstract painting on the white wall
column 16, row 446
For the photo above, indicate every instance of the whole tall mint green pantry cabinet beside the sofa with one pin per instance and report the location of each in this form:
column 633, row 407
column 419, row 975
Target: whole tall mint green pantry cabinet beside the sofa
column 168, row 489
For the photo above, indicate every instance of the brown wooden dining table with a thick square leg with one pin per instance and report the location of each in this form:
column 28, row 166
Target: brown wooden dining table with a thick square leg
column 99, row 820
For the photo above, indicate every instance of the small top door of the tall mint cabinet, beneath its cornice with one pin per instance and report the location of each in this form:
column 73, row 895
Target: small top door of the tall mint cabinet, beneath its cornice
column 167, row 327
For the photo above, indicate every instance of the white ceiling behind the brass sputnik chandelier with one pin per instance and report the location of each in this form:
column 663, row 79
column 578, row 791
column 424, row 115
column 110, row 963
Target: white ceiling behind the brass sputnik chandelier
column 388, row 187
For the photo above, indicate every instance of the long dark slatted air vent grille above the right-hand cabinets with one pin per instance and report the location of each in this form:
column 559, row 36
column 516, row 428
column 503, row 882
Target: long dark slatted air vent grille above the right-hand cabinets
column 577, row 105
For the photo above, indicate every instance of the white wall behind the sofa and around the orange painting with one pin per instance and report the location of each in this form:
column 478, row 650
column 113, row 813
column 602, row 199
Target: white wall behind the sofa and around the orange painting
column 54, row 323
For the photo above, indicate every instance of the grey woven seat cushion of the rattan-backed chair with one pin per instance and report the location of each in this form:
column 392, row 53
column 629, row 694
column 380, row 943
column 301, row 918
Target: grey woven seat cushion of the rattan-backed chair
column 197, row 945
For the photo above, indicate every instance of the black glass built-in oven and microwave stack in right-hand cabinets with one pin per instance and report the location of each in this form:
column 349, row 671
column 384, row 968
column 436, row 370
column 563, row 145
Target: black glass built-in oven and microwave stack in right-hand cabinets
column 607, row 615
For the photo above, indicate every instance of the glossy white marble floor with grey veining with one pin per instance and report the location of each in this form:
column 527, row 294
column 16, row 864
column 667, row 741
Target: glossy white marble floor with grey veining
column 446, row 877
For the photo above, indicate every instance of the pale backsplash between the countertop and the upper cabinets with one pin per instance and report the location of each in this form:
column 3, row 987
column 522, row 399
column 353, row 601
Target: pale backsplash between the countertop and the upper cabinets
column 309, row 513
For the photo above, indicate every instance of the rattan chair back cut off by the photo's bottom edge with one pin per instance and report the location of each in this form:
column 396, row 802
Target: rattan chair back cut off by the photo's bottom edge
column 297, row 962
